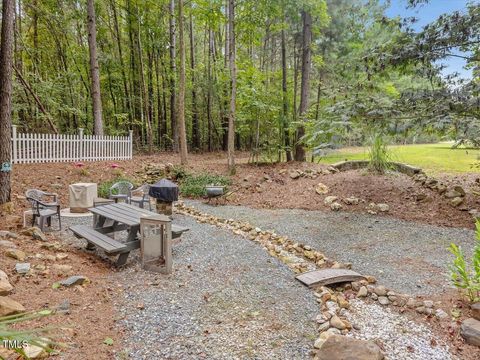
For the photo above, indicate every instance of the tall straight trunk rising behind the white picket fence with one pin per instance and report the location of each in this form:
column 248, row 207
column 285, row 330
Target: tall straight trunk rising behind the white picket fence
column 94, row 69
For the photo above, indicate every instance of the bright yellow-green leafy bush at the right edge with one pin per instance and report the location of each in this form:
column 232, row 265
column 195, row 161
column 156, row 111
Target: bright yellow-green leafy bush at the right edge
column 462, row 276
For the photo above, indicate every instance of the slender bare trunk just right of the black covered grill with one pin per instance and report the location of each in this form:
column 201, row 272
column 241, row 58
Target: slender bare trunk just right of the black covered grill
column 182, row 133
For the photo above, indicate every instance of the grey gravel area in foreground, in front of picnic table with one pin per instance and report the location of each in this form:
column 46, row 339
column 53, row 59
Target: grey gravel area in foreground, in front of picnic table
column 226, row 299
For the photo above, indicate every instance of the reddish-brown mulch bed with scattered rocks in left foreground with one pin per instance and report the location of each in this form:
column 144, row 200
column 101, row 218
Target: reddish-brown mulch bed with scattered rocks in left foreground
column 91, row 317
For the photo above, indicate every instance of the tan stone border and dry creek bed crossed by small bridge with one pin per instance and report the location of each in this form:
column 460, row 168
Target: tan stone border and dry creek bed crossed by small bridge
column 335, row 303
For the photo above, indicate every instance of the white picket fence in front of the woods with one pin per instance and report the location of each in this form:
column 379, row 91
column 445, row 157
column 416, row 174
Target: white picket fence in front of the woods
column 38, row 148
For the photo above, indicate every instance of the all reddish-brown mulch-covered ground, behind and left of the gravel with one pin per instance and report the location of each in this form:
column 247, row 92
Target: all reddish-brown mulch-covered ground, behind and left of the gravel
column 265, row 186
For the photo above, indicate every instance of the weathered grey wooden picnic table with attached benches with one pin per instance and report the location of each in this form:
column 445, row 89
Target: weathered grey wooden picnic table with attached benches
column 113, row 218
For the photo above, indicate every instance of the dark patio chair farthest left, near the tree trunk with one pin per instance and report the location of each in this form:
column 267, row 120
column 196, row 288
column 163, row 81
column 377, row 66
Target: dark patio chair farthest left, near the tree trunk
column 44, row 206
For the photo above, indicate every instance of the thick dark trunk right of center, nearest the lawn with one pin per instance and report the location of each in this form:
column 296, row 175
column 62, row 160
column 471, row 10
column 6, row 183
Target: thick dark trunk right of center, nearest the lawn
column 304, row 90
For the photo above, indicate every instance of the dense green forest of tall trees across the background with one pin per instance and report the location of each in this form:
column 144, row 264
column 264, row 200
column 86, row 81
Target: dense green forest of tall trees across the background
column 284, row 76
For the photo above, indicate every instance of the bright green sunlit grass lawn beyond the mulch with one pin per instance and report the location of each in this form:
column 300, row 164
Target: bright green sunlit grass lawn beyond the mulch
column 433, row 158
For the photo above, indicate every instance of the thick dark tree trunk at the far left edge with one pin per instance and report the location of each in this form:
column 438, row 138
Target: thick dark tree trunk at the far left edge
column 6, row 61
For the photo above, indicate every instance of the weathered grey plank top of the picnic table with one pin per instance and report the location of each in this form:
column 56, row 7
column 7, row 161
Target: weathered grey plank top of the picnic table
column 128, row 214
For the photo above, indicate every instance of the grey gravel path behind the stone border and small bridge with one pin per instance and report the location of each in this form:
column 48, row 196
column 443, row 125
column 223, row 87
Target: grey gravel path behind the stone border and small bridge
column 406, row 256
